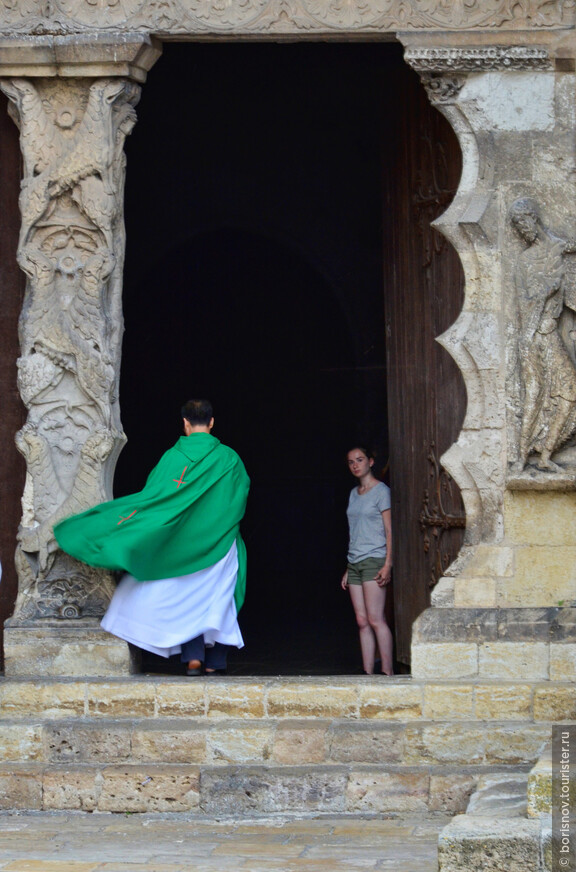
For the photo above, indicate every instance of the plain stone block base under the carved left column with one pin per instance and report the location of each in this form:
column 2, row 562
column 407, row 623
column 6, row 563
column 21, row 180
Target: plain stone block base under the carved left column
column 52, row 648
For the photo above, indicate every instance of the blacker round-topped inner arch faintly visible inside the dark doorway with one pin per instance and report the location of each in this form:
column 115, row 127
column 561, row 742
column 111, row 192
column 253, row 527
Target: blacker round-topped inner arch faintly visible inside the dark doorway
column 255, row 328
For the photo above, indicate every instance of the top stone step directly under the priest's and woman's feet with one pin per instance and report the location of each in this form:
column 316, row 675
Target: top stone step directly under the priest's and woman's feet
column 354, row 698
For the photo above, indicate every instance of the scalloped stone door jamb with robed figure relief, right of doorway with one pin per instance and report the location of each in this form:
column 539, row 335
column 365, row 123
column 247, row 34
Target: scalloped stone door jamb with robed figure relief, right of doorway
column 506, row 603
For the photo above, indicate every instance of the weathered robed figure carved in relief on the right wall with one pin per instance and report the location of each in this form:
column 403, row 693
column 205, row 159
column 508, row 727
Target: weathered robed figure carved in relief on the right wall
column 547, row 371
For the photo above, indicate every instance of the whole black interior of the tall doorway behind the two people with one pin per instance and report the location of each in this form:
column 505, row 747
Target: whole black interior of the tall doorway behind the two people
column 254, row 276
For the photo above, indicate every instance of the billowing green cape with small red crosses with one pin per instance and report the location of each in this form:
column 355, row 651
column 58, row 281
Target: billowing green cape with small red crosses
column 184, row 519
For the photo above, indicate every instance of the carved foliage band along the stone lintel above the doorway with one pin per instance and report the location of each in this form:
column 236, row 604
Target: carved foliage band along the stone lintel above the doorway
column 281, row 16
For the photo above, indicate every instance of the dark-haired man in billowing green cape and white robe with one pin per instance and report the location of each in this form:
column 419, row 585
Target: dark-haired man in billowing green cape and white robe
column 178, row 541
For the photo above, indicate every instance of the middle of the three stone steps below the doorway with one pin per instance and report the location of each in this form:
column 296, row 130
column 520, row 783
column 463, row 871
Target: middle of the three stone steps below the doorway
column 278, row 742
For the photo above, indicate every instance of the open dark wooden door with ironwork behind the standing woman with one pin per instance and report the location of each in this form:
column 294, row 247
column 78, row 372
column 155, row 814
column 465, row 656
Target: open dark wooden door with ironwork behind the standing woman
column 426, row 395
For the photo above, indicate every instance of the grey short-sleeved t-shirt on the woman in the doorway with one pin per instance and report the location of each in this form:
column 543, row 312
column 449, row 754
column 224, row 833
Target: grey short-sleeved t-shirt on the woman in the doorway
column 367, row 535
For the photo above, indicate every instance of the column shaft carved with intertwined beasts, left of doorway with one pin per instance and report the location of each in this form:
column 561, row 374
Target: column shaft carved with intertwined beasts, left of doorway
column 71, row 249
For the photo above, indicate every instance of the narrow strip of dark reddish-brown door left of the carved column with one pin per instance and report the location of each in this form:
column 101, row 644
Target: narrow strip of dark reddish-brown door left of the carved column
column 12, row 282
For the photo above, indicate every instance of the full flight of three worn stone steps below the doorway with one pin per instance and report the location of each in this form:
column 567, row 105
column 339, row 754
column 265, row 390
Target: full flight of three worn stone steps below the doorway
column 234, row 746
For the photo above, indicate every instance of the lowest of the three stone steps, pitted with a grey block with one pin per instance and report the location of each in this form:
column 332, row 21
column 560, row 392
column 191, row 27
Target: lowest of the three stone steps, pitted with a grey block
column 235, row 790
